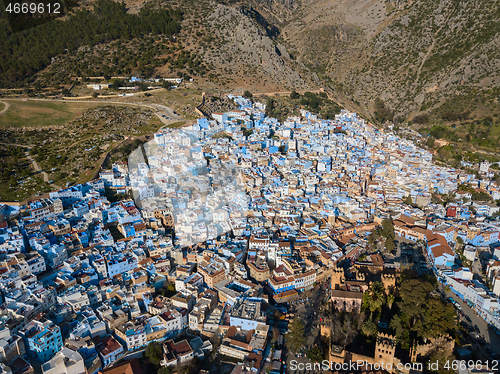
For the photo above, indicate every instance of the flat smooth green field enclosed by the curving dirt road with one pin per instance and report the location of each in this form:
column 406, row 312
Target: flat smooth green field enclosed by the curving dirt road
column 24, row 113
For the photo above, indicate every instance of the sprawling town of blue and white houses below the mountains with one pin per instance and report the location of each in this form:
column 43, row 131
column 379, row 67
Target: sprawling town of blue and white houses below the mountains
column 236, row 223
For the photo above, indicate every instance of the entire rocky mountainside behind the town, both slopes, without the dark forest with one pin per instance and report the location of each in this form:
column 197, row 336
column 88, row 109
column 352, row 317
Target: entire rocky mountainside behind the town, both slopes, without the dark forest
column 426, row 60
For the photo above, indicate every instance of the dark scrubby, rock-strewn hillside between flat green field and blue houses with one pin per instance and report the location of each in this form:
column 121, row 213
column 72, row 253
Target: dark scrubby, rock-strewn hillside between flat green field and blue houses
column 71, row 153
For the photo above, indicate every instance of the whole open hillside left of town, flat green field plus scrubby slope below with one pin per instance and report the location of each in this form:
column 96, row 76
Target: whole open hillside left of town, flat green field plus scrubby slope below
column 69, row 140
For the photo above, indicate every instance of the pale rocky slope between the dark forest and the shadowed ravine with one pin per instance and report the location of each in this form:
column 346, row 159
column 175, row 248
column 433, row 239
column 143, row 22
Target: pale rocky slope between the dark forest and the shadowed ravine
column 240, row 45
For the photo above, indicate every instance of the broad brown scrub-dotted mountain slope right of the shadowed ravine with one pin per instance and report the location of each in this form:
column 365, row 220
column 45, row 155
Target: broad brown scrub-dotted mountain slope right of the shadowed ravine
column 415, row 55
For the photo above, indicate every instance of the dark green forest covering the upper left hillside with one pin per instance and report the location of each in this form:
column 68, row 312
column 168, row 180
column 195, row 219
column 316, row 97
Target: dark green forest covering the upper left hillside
column 26, row 52
